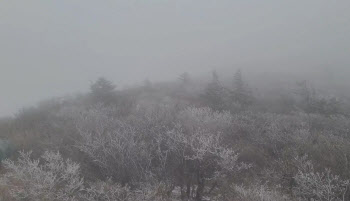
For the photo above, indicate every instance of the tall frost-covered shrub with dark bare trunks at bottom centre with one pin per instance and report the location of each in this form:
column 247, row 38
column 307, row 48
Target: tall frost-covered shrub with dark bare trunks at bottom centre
column 194, row 148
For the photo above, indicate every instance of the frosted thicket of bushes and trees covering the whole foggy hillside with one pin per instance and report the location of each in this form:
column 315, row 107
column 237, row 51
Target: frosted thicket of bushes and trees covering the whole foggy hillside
column 179, row 141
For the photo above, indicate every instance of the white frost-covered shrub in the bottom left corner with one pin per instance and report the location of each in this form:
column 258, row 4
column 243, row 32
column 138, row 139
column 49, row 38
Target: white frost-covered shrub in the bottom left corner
column 49, row 178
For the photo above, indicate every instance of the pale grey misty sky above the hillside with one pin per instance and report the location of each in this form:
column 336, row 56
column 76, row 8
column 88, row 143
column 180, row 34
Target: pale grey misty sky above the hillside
column 54, row 47
